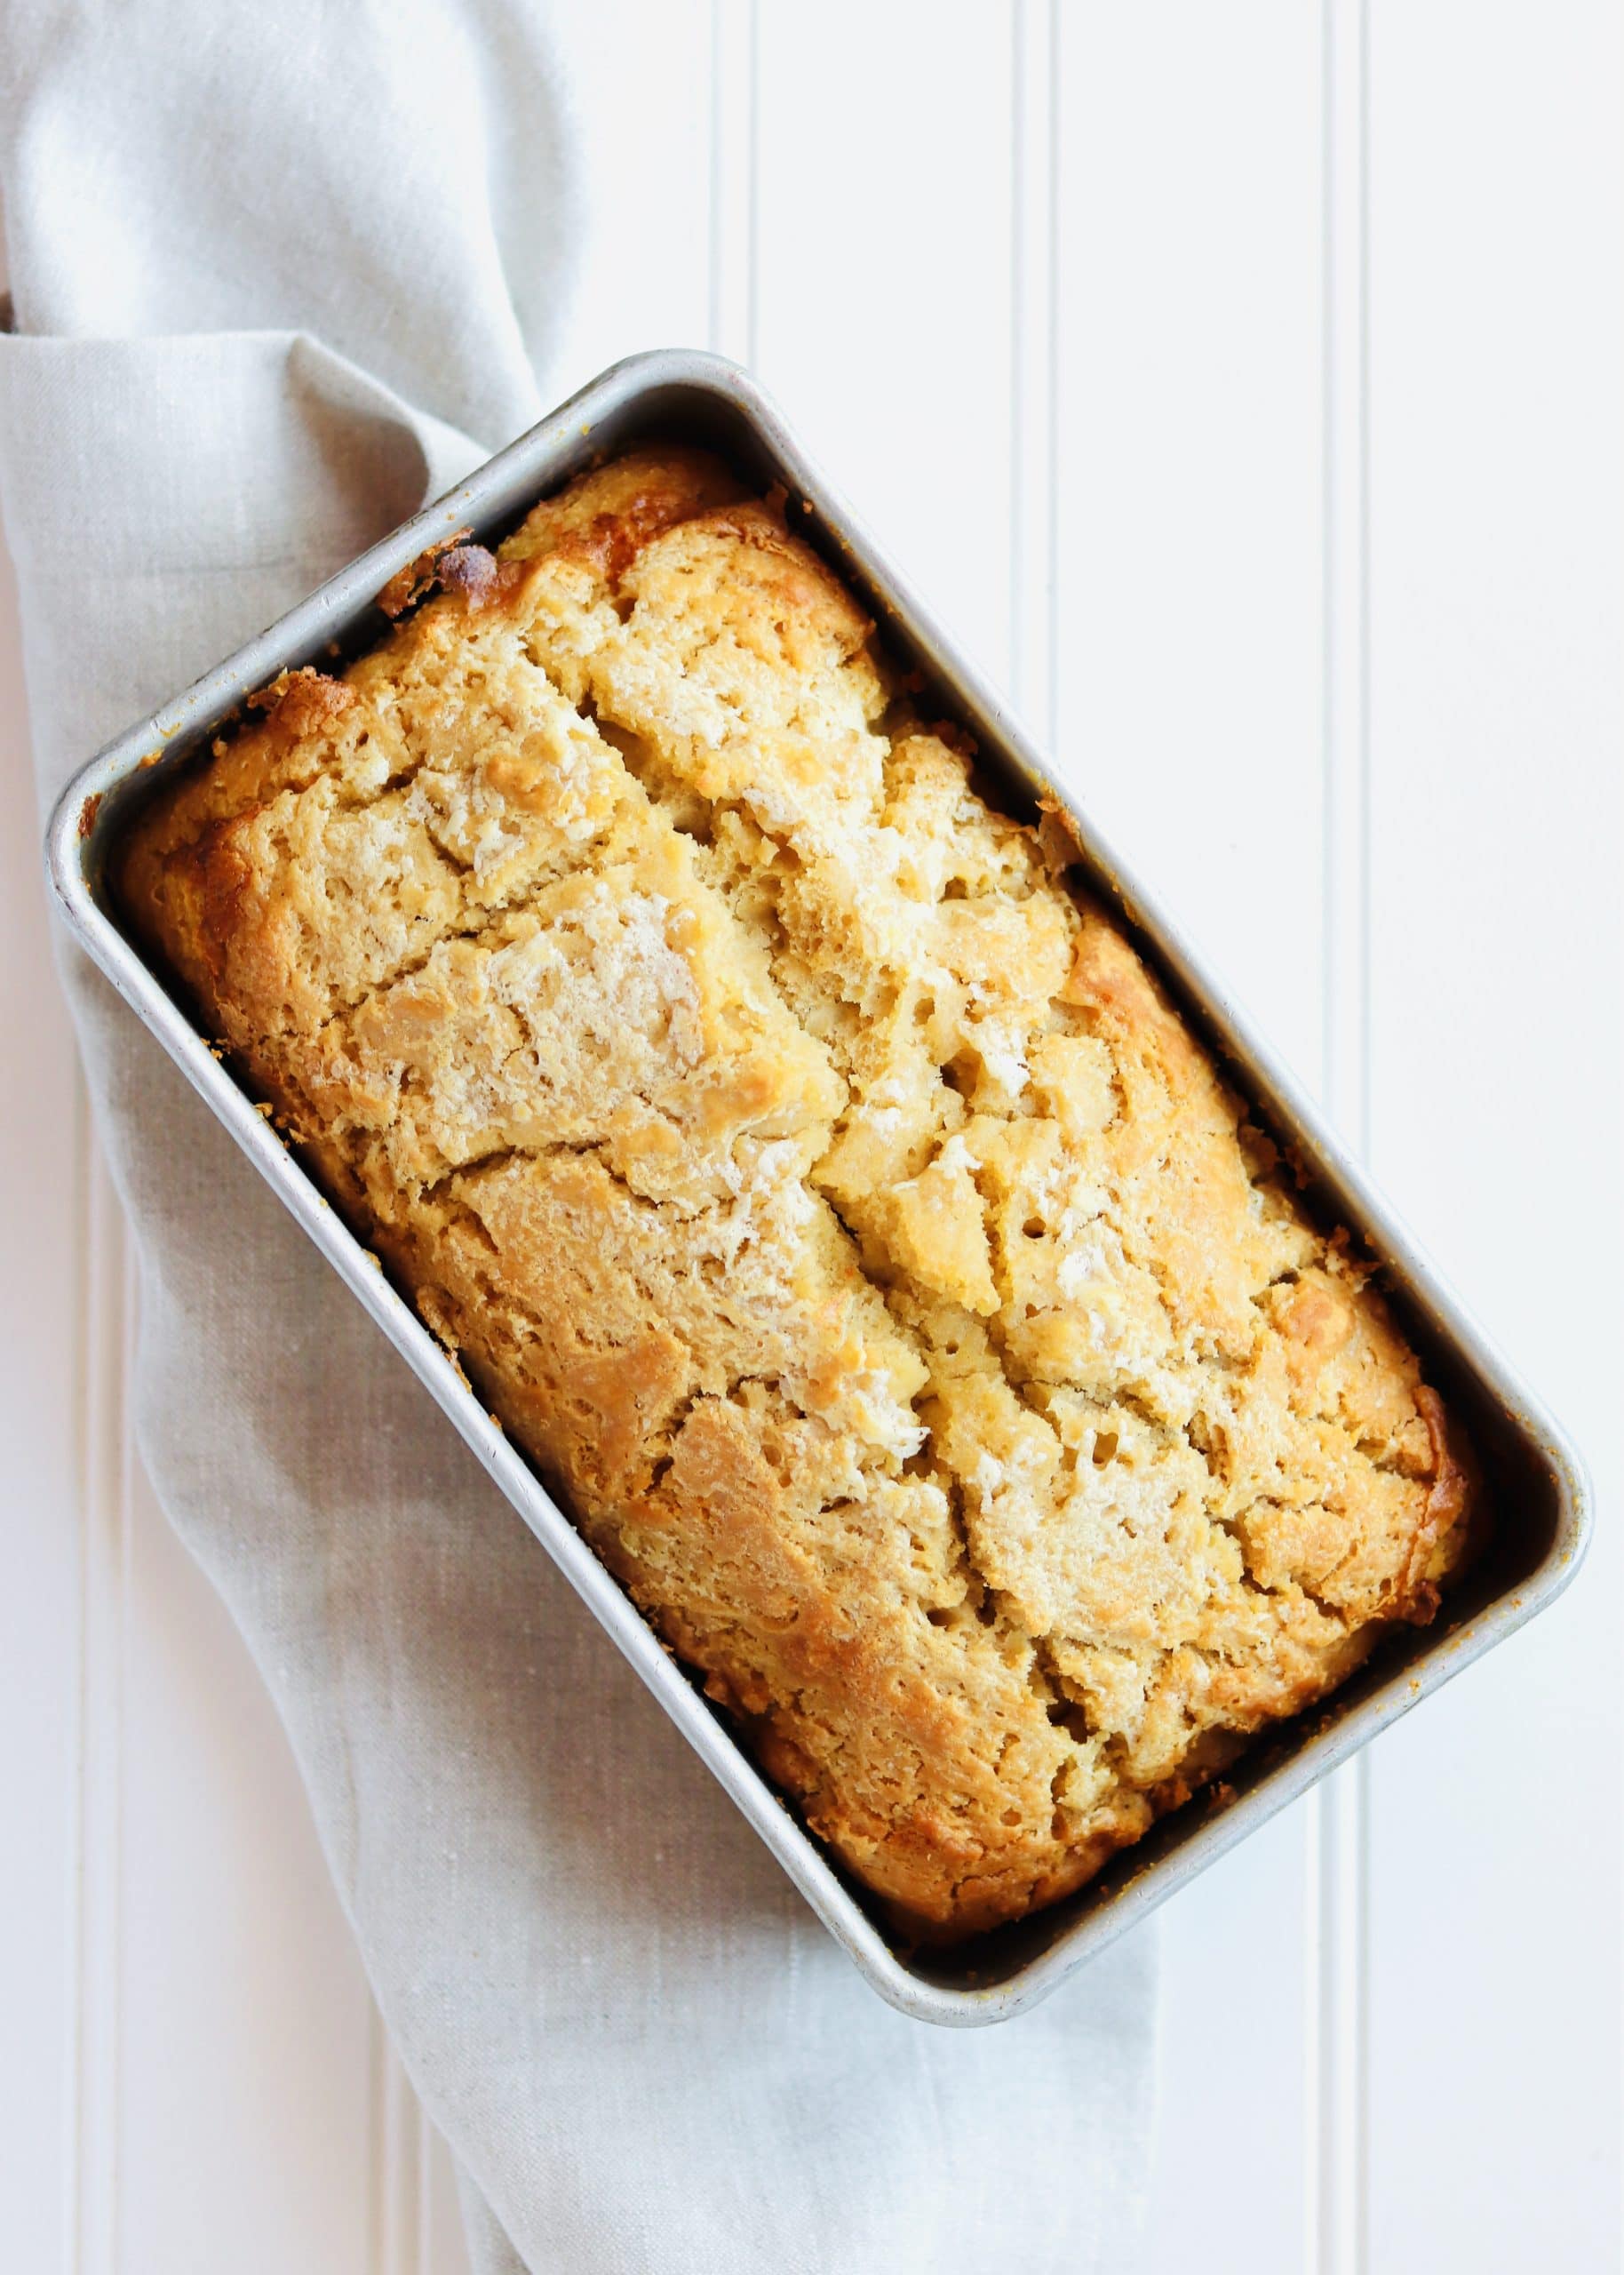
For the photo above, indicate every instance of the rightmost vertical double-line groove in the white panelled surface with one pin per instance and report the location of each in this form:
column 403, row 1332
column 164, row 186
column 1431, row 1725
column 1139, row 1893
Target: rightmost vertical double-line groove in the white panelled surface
column 1339, row 2069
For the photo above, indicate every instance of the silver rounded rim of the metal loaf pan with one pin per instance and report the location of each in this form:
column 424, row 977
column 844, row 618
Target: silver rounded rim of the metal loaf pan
column 527, row 470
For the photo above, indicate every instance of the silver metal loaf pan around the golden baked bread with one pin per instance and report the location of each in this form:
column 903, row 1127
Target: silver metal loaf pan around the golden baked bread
column 1539, row 1489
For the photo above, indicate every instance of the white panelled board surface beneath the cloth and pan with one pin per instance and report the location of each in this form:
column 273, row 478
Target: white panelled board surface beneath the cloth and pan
column 1248, row 386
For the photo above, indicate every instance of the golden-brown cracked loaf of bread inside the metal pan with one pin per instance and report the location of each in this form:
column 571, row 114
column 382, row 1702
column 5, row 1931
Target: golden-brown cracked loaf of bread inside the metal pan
column 813, row 1182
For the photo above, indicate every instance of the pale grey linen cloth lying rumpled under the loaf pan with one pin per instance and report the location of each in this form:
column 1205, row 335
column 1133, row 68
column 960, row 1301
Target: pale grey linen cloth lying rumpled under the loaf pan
column 281, row 274
